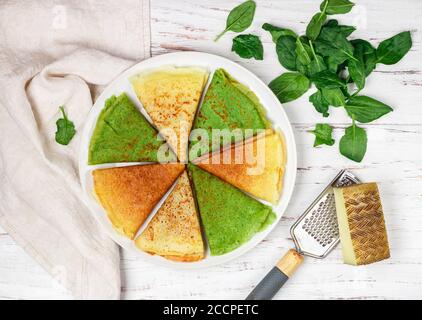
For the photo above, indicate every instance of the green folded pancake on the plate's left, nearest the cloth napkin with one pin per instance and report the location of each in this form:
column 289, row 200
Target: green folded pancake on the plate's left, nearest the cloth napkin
column 122, row 134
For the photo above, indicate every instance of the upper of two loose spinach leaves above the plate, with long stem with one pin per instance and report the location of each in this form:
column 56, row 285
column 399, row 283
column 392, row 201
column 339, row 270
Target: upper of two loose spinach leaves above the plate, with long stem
column 240, row 18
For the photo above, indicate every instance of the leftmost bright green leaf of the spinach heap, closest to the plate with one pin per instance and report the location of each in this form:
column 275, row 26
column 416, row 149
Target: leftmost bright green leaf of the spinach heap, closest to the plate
column 289, row 86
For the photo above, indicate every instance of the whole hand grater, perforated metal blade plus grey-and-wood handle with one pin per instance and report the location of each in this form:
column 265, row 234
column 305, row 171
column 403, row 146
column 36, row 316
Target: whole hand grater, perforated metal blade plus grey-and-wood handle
column 315, row 234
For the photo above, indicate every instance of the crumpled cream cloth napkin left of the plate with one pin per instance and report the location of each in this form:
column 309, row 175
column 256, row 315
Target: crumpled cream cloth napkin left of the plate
column 56, row 53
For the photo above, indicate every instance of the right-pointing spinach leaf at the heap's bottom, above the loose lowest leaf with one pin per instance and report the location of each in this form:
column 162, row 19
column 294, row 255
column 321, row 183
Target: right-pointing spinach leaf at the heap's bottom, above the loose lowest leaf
column 365, row 109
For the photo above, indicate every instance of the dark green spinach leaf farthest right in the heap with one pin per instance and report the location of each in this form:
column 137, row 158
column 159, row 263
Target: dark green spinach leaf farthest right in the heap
column 391, row 51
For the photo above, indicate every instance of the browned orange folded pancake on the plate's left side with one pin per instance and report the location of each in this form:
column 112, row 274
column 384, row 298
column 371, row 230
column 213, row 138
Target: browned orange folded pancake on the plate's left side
column 128, row 194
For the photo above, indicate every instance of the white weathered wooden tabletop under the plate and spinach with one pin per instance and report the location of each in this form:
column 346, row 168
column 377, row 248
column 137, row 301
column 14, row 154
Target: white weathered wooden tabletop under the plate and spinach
column 394, row 160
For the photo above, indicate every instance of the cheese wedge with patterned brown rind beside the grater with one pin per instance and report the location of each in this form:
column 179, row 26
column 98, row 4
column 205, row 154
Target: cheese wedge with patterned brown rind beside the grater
column 363, row 235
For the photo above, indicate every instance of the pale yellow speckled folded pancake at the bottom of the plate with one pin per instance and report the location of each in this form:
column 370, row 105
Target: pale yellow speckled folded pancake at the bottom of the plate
column 175, row 231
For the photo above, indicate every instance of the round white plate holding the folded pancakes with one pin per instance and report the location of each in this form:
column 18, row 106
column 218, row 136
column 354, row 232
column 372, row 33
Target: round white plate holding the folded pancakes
column 275, row 113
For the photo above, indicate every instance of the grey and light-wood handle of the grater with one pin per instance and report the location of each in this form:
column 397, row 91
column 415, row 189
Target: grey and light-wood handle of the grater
column 277, row 277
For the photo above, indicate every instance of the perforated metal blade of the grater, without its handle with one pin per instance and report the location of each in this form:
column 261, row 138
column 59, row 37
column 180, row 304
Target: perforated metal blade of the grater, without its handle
column 315, row 233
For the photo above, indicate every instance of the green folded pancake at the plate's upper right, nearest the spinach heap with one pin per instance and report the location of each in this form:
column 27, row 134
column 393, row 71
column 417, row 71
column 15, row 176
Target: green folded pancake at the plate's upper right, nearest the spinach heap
column 228, row 105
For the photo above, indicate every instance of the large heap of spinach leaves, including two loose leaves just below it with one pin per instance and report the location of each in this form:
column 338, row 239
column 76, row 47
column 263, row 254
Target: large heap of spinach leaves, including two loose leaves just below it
column 338, row 67
